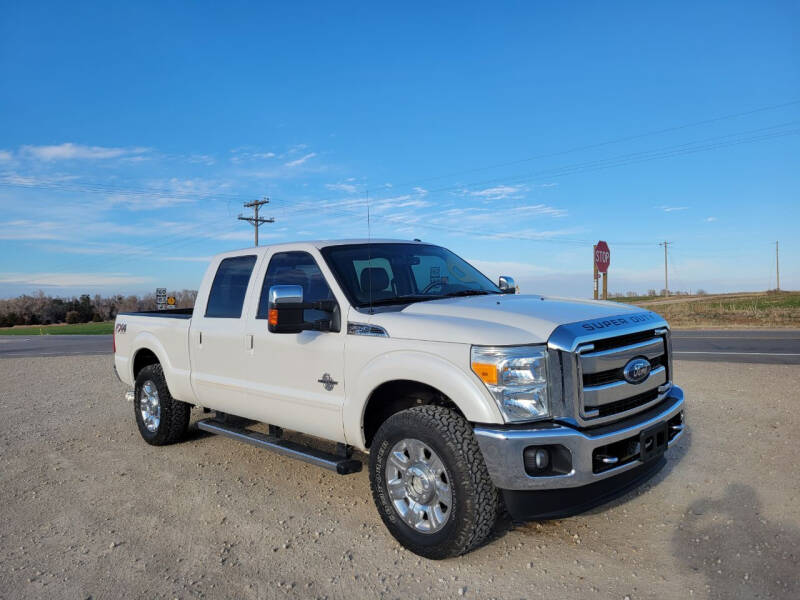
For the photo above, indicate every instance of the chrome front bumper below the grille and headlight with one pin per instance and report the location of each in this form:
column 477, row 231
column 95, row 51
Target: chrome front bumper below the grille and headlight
column 503, row 448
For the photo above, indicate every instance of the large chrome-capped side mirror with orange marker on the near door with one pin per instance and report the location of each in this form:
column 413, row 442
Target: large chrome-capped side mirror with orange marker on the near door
column 287, row 311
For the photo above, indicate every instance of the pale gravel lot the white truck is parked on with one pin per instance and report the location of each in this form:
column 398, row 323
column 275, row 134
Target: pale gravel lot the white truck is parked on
column 90, row 510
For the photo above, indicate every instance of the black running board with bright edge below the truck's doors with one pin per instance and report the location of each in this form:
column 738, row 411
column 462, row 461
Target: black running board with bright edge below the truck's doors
column 332, row 462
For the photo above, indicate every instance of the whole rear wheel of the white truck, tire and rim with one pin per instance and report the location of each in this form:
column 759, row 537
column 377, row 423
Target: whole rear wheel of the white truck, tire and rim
column 161, row 419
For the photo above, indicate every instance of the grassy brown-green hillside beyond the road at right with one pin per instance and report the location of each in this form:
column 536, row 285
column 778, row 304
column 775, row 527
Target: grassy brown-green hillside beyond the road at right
column 746, row 309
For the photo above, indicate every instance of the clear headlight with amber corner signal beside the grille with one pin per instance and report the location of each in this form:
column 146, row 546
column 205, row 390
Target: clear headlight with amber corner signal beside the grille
column 517, row 378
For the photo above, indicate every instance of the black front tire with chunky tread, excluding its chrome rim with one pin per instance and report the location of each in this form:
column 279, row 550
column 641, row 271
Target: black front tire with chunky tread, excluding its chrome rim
column 475, row 500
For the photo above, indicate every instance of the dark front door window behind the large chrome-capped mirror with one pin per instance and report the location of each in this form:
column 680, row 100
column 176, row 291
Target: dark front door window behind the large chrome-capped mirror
column 295, row 268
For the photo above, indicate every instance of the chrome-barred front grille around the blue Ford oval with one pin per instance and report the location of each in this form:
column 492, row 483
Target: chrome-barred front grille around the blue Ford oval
column 604, row 392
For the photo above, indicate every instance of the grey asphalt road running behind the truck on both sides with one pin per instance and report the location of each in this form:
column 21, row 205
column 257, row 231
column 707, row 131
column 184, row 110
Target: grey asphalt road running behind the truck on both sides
column 723, row 345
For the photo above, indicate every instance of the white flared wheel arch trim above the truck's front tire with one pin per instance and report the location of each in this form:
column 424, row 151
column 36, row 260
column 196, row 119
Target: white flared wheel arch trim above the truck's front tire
column 464, row 389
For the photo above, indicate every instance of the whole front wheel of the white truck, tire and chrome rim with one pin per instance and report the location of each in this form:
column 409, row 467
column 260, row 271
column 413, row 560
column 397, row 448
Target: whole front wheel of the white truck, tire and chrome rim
column 430, row 483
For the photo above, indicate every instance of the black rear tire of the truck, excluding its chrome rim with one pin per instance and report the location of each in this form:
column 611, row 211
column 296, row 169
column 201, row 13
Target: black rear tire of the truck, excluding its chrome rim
column 174, row 414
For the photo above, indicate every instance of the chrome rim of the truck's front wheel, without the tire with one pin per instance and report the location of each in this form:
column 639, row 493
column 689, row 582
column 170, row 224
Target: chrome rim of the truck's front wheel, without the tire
column 419, row 486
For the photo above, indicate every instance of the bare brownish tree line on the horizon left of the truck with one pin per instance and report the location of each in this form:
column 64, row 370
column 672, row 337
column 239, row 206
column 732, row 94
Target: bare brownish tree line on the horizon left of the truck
column 42, row 309
